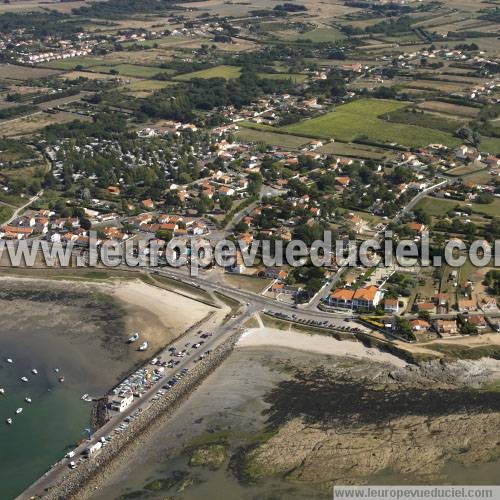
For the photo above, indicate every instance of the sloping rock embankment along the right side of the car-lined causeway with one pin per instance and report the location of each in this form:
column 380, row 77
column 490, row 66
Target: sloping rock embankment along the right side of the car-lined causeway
column 79, row 482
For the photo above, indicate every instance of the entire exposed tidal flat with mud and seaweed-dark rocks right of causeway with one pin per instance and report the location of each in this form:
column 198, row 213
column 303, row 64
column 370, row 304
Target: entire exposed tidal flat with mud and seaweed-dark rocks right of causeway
column 277, row 423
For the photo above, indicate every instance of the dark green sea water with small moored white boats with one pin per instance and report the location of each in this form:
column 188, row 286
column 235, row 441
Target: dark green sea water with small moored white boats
column 46, row 428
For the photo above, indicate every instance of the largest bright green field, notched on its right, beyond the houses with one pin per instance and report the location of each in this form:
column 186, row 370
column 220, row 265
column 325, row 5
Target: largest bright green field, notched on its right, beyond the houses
column 360, row 119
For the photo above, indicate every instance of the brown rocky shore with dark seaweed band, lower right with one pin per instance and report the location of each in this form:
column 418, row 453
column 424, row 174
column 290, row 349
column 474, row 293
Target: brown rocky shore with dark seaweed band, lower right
column 342, row 426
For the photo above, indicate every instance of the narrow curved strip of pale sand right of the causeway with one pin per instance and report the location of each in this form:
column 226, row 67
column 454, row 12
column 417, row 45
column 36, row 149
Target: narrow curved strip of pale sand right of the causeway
column 320, row 344
